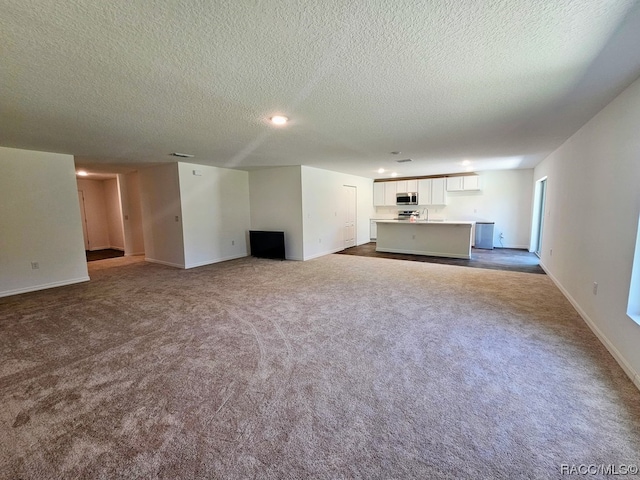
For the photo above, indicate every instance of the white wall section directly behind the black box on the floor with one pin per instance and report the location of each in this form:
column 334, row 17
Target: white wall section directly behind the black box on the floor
column 276, row 204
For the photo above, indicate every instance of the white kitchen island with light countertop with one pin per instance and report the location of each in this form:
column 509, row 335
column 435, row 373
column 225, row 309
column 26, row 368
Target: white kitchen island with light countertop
column 422, row 237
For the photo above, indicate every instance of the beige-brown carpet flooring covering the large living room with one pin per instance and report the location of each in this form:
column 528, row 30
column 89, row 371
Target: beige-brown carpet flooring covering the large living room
column 338, row 367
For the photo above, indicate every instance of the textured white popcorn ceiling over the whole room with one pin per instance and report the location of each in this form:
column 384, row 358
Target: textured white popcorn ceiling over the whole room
column 498, row 82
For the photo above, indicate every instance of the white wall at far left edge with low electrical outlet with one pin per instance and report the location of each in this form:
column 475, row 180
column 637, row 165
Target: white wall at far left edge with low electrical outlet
column 40, row 222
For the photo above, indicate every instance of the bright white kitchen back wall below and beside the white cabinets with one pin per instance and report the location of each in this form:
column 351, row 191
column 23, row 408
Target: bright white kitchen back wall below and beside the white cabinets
column 505, row 198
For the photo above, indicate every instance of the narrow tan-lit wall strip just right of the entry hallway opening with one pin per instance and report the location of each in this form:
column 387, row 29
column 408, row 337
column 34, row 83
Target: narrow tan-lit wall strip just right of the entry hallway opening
column 131, row 213
